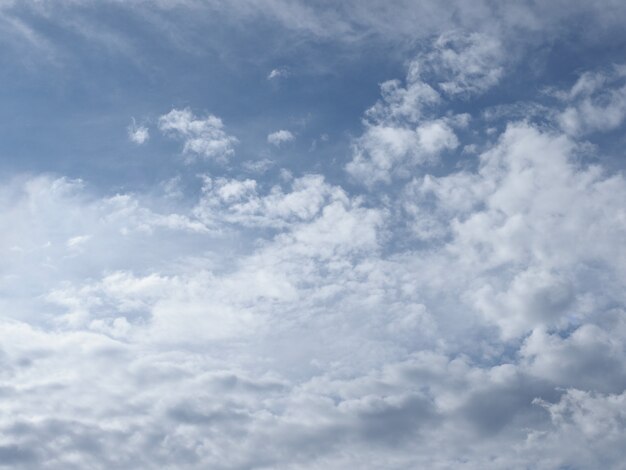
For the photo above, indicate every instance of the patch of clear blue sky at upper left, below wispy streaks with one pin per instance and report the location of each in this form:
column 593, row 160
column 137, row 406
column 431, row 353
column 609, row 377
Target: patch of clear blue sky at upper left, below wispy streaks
column 67, row 112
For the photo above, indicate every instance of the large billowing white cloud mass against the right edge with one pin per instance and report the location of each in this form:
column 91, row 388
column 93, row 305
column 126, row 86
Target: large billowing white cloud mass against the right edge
column 528, row 186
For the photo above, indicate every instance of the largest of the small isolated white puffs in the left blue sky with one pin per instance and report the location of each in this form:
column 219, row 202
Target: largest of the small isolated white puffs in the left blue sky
column 202, row 137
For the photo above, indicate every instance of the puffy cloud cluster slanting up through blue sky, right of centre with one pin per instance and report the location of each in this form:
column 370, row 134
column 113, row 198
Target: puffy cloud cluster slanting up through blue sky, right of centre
column 406, row 128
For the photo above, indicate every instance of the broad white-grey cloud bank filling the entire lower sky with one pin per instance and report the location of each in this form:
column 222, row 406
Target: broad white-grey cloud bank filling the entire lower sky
column 315, row 344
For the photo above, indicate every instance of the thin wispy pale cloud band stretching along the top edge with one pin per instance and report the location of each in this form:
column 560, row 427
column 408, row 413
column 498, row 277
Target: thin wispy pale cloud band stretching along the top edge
column 399, row 23
